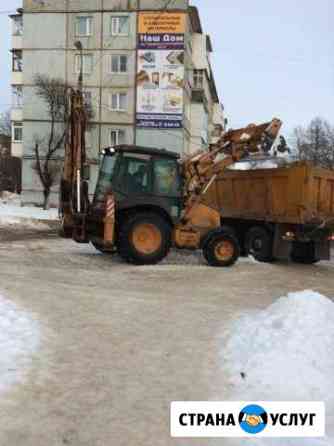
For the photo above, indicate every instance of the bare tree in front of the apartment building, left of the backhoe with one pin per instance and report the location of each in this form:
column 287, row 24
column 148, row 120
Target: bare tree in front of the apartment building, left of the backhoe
column 49, row 150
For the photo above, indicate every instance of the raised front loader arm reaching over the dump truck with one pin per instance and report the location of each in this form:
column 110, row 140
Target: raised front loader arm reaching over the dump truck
column 202, row 169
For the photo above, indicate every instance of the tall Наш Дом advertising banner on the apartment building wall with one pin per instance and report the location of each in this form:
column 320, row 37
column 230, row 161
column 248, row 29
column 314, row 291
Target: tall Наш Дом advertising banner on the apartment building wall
column 160, row 75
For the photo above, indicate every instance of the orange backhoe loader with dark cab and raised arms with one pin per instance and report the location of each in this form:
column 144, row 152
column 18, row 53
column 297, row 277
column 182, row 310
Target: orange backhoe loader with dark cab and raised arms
column 149, row 200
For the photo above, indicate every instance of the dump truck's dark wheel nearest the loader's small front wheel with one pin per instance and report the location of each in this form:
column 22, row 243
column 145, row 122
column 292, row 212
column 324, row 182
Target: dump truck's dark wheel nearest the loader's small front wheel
column 259, row 244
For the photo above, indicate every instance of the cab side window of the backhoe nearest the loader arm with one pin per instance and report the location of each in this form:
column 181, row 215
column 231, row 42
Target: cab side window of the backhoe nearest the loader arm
column 166, row 178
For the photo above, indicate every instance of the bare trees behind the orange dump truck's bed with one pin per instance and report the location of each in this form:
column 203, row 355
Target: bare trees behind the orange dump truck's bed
column 316, row 143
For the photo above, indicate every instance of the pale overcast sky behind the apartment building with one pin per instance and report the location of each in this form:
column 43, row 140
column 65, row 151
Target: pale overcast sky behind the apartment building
column 270, row 58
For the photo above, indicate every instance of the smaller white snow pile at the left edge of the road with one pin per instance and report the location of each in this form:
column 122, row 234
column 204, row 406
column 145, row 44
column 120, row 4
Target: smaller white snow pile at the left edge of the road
column 19, row 339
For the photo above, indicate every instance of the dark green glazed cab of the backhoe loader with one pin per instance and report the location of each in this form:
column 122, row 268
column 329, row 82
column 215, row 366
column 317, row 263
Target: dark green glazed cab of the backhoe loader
column 140, row 177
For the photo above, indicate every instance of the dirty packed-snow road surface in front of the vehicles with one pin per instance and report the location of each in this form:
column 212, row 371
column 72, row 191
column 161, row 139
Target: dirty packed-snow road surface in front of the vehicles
column 119, row 343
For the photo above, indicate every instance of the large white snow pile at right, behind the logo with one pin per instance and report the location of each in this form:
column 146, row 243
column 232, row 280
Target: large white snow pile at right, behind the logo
column 284, row 353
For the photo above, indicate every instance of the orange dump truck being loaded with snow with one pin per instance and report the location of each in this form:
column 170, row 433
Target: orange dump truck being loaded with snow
column 277, row 212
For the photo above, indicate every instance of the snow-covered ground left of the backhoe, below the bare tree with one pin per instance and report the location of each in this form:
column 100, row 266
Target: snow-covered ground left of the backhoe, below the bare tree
column 12, row 214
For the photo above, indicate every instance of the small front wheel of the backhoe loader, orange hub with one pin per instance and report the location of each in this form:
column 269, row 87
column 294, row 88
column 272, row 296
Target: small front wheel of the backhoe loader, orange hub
column 221, row 250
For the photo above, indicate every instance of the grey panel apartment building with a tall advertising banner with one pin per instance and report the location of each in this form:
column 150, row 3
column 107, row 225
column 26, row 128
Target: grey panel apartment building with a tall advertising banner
column 146, row 74
